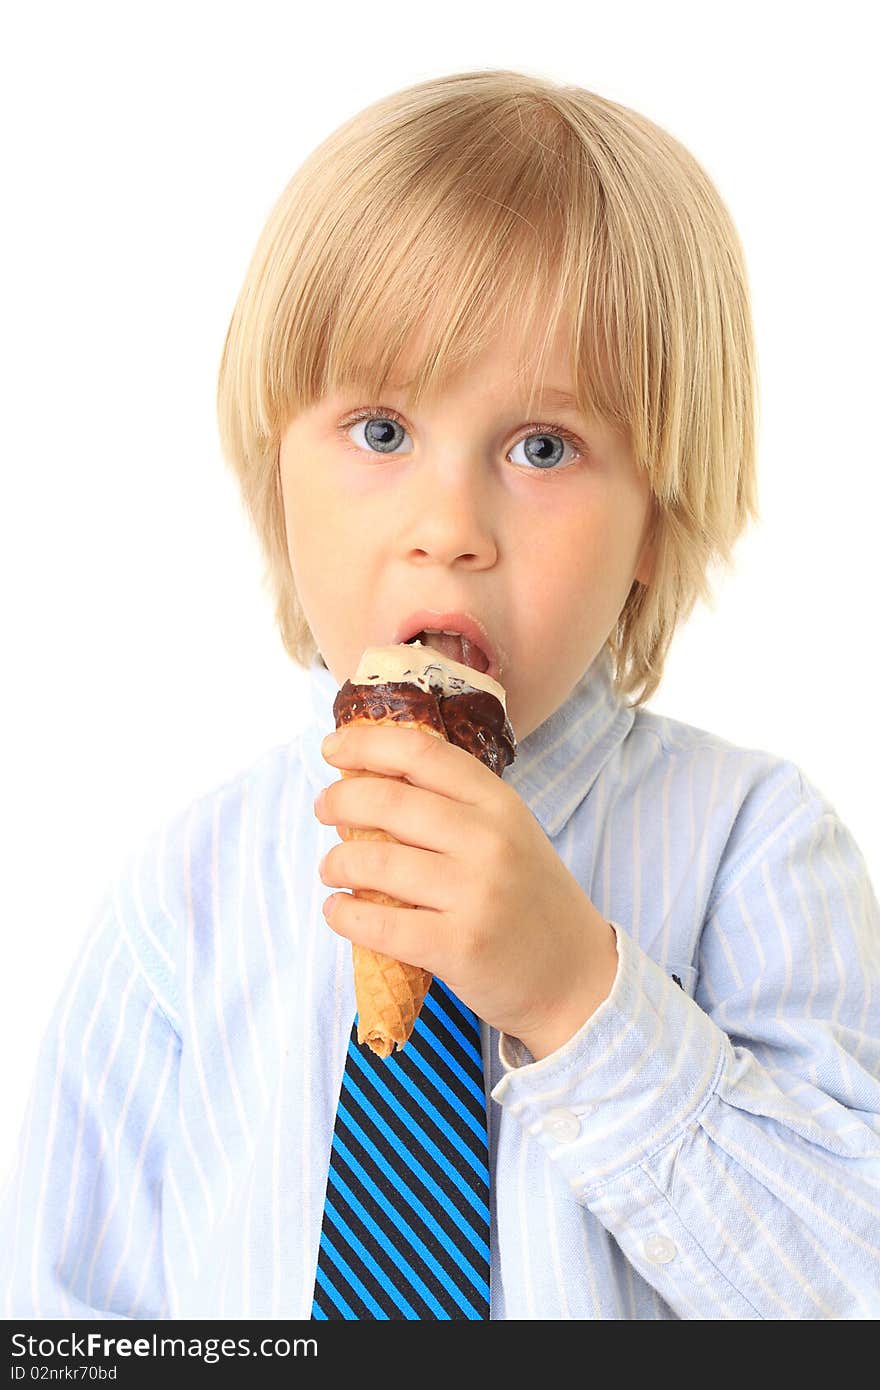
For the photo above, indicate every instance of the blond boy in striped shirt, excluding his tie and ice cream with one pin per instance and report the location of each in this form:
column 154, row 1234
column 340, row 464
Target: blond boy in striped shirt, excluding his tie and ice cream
column 493, row 363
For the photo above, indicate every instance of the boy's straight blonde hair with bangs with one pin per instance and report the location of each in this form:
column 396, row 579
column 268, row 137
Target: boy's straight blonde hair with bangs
column 473, row 201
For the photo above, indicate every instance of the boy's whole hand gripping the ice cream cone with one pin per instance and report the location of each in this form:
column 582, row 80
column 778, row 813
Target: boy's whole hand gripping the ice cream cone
column 496, row 913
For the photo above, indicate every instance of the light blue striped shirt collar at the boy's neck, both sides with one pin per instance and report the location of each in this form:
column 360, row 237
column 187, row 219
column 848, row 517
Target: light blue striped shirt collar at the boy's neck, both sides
column 554, row 769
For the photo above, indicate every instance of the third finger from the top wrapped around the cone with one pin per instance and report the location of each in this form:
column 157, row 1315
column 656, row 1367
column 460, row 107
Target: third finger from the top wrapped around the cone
column 414, row 878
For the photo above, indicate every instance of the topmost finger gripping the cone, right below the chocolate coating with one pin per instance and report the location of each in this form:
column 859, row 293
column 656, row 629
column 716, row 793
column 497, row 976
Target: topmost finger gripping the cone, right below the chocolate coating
column 419, row 757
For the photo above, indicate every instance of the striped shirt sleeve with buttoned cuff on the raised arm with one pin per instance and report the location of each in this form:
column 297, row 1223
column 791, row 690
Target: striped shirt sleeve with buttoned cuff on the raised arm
column 731, row 1142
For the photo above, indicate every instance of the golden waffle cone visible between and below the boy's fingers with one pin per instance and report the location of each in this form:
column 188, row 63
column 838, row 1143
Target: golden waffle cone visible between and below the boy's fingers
column 390, row 993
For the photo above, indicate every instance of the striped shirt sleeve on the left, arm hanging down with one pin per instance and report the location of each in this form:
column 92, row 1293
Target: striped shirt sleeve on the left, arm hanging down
column 81, row 1214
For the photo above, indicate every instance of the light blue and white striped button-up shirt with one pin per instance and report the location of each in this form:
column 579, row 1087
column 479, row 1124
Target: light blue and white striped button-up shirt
column 707, row 1146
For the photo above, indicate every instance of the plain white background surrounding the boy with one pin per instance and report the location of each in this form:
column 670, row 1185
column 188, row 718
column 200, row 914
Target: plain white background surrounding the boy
column 145, row 145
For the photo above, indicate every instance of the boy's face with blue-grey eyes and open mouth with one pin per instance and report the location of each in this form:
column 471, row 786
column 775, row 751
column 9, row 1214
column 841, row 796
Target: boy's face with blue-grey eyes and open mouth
column 461, row 516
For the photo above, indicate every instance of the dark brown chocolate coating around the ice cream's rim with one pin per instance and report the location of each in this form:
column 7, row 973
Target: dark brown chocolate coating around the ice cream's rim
column 473, row 721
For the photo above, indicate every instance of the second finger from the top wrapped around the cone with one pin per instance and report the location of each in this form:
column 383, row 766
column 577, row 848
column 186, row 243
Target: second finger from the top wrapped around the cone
column 423, row 819
